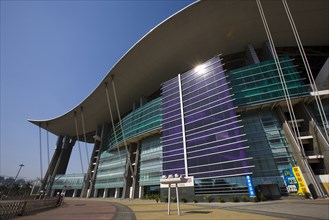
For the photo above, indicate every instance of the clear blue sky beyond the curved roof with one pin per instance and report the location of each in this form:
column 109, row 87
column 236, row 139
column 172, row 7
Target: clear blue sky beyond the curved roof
column 54, row 54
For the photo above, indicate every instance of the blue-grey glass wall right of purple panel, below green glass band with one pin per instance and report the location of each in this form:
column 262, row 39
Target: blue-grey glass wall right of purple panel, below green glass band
column 268, row 146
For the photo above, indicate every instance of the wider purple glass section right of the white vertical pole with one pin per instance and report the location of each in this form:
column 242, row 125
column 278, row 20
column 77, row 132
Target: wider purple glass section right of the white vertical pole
column 210, row 107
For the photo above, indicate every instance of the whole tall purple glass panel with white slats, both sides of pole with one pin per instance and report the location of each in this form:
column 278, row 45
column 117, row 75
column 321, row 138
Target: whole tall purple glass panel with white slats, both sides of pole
column 215, row 147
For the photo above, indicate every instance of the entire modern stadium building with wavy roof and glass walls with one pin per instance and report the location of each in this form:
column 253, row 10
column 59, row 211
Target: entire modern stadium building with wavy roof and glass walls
column 233, row 95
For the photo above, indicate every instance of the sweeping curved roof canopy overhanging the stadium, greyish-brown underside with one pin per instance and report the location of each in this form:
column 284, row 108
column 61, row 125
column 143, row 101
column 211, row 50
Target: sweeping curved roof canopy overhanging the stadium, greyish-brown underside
column 186, row 39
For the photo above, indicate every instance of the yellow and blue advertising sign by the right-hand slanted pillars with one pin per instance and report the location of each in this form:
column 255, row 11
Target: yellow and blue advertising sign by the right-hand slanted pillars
column 294, row 180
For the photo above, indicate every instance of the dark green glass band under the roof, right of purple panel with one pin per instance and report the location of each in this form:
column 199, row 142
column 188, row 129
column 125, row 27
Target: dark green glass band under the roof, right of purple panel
column 260, row 83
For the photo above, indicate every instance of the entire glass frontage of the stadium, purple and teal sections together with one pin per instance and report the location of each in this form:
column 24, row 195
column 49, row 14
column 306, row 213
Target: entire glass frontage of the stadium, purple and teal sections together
column 203, row 134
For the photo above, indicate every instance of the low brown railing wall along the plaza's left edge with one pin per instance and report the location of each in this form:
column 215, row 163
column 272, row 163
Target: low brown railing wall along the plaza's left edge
column 13, row 208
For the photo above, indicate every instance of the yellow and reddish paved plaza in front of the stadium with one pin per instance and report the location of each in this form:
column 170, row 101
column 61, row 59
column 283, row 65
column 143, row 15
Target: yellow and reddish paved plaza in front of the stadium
column 83, row 209
